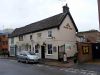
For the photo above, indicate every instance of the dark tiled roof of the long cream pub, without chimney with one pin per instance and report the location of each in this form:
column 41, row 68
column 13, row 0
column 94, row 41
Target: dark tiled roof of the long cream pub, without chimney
column 51, row 22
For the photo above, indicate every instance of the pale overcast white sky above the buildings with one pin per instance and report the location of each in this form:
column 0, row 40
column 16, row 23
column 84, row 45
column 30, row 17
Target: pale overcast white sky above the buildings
column 18, row 13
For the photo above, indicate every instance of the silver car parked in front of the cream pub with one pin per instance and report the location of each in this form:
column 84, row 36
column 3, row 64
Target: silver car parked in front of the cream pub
column 27, row 57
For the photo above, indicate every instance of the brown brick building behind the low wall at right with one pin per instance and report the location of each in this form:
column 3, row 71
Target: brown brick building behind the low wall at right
column 92, row 36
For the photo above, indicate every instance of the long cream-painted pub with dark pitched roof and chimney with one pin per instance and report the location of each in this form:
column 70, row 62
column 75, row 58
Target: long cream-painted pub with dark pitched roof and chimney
column 48, row 38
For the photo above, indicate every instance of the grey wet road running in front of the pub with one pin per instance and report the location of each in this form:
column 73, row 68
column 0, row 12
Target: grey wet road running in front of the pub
column 12, row 67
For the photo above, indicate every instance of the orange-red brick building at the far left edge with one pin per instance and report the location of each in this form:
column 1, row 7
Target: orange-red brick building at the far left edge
column 3, row 43
